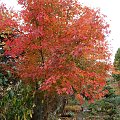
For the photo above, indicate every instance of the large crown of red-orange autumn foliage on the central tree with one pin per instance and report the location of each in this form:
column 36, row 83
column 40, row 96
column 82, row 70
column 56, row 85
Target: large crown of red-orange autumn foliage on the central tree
column 61, row 48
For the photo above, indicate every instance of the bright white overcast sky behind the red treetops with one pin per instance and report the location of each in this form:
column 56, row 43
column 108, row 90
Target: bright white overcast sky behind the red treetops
column 111, row 8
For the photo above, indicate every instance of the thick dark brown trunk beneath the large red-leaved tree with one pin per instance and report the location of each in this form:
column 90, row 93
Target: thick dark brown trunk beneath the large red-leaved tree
column 47, row 105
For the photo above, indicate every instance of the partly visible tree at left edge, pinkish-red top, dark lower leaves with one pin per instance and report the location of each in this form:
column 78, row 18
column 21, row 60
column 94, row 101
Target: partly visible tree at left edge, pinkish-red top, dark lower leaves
column 6, row 32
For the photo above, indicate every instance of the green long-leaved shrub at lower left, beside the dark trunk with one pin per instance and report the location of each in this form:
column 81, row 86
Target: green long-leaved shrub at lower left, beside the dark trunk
column 17, row 103
